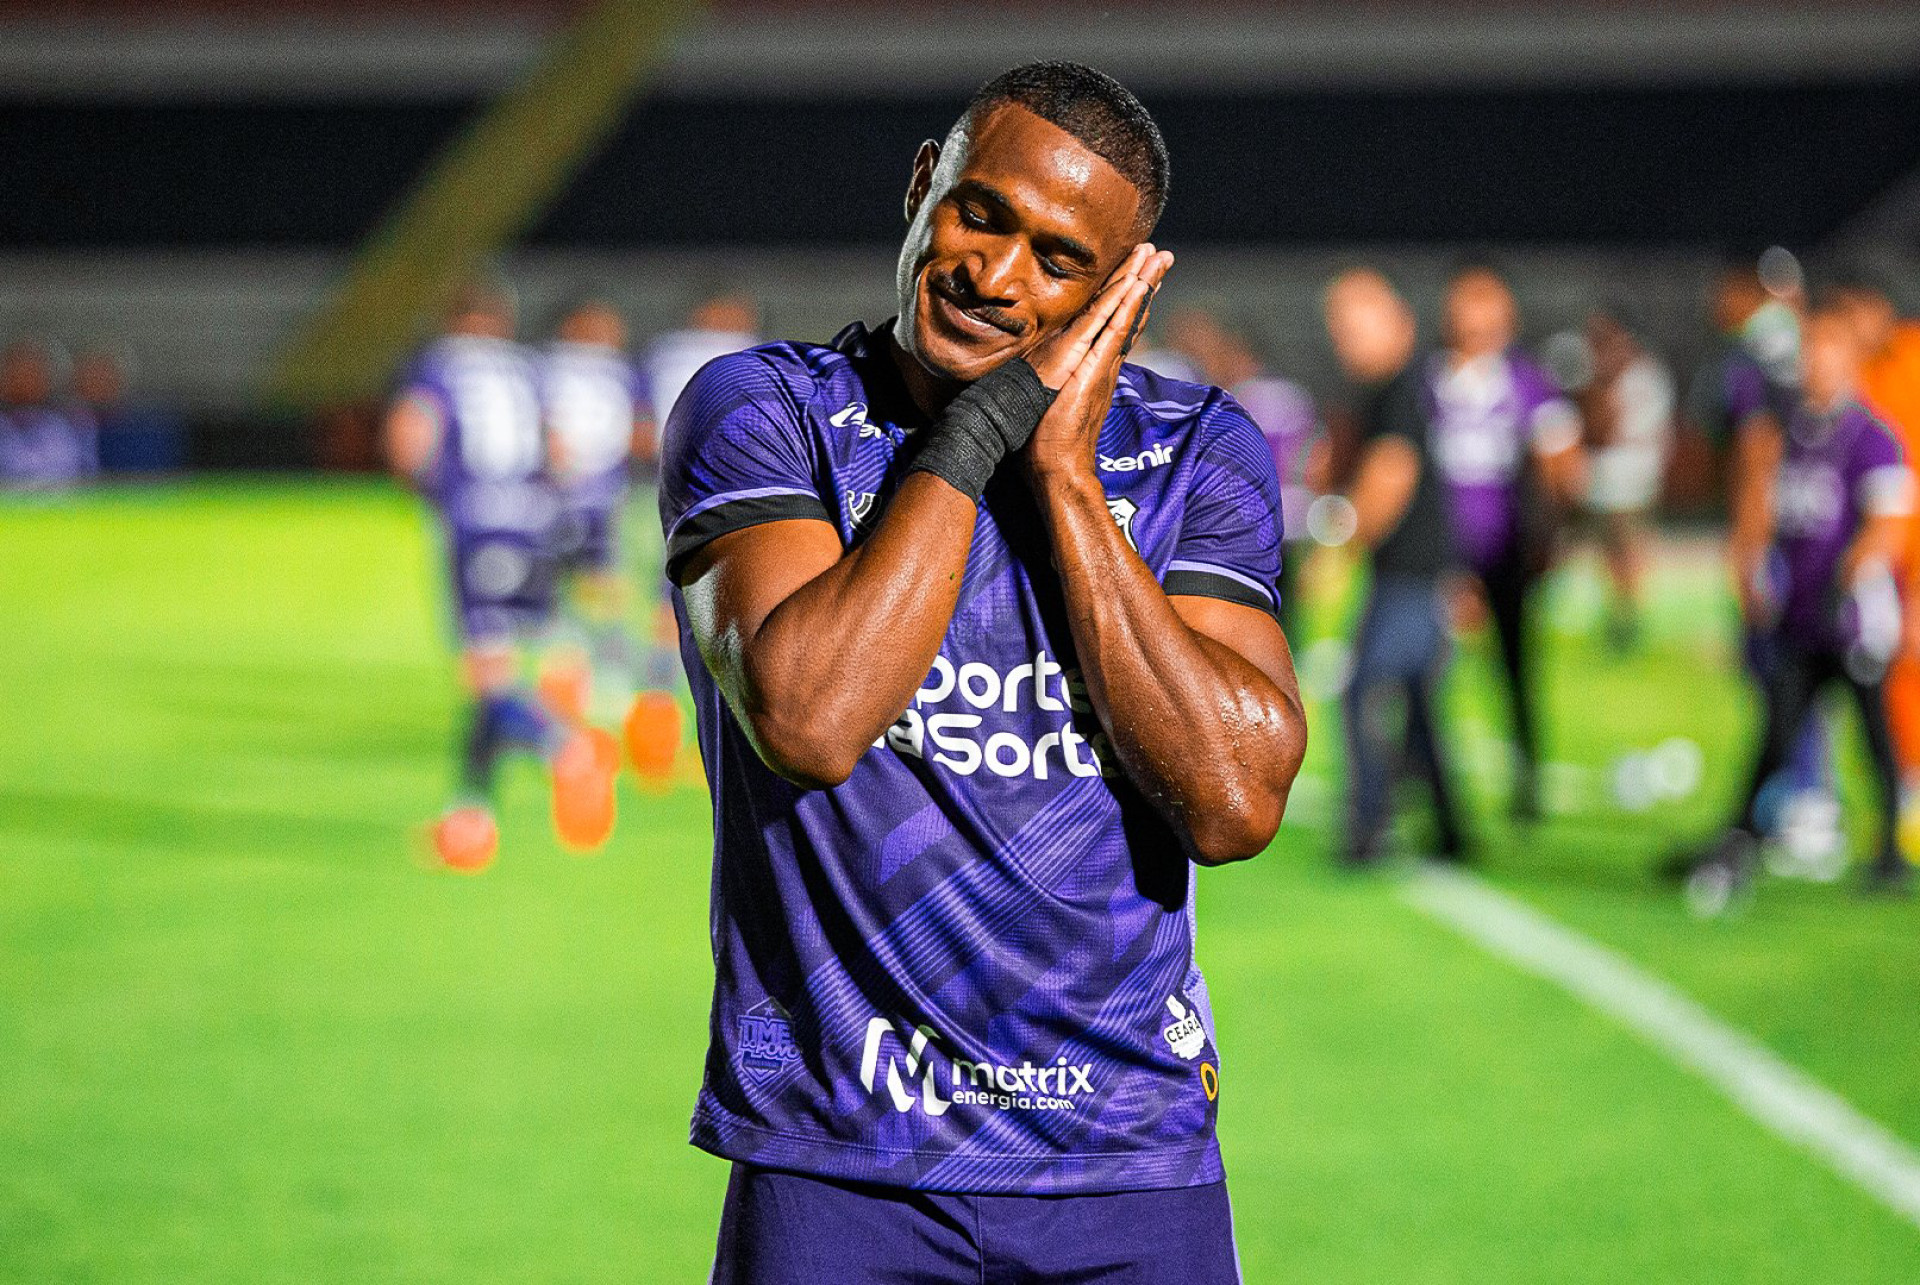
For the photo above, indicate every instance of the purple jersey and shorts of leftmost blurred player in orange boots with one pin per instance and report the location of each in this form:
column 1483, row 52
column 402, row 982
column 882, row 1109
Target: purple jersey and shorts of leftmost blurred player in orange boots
column 491, row 481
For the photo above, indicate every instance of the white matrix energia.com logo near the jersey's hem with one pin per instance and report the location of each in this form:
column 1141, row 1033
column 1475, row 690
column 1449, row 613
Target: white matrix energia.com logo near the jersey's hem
column 892, row 1057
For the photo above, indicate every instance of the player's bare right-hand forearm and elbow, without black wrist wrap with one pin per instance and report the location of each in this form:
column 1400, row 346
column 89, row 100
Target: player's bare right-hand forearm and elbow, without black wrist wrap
column 1211, row 740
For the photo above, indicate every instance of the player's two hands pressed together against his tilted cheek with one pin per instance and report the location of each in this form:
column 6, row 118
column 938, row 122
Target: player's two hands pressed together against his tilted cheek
column 1082, row 364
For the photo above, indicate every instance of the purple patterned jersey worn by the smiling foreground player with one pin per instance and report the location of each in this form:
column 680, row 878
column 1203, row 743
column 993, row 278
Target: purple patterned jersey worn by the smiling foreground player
column 972, row 965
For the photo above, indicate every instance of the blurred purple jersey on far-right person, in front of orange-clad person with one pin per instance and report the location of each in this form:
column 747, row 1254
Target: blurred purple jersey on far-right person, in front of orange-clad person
column 1836, row 472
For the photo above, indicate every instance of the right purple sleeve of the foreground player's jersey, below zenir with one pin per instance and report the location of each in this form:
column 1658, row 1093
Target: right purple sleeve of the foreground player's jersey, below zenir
column 1230, row 543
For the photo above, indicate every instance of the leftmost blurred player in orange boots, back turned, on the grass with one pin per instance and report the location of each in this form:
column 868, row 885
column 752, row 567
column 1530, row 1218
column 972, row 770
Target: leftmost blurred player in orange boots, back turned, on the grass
column 466, row 429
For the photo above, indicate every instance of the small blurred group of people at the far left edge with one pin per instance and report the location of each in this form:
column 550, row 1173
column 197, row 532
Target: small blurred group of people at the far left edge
column 66, row 420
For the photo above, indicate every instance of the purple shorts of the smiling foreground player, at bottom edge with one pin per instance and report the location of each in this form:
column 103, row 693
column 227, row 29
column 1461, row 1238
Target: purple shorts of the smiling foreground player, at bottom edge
column 796, row 1230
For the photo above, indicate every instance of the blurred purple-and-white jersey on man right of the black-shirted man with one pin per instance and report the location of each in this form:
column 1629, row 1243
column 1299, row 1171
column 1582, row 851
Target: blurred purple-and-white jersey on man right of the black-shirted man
column 1487, row 416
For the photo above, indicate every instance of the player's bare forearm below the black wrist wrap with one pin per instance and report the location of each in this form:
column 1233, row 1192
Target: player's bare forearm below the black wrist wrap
column 838, row 662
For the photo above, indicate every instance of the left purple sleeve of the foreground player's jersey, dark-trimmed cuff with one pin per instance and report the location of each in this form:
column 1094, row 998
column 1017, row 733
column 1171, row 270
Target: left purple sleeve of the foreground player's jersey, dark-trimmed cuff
column 736, row 454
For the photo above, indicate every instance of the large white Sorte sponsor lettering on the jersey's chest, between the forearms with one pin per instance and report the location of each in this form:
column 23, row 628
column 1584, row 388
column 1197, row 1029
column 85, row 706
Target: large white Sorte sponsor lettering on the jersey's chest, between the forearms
column 944, row 727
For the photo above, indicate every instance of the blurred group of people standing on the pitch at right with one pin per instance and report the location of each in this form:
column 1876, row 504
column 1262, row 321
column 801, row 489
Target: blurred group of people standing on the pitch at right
column 1466, row 464
